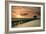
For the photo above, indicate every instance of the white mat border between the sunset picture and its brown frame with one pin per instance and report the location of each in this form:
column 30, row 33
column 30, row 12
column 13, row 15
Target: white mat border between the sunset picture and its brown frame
column 25, row 28
